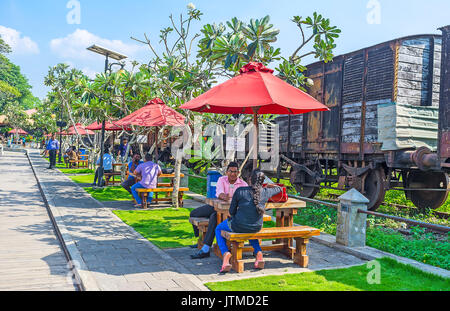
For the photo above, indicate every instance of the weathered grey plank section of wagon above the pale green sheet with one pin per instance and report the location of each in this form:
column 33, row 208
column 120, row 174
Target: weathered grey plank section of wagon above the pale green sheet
column 414, row 70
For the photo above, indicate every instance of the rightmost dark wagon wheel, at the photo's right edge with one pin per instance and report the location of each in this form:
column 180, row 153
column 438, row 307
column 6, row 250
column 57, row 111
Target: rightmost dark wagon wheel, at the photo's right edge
column 423, row 199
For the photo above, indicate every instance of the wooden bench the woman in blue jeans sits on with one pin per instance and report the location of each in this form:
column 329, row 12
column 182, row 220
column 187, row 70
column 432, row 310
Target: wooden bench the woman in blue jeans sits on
column 300, row 234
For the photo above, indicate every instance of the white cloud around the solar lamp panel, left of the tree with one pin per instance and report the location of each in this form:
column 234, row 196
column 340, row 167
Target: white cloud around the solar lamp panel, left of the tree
column 74, row 45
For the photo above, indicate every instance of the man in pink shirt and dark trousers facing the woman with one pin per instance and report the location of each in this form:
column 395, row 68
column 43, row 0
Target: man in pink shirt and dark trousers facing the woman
column 226, row 186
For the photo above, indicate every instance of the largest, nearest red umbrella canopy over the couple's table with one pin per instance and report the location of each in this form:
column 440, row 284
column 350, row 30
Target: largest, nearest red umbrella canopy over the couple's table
column 255, row 90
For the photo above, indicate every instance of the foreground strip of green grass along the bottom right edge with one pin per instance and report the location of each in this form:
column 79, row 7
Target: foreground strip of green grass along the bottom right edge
column 394, row 276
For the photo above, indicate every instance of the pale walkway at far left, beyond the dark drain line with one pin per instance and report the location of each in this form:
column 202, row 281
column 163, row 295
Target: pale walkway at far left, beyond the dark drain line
column 30, row 255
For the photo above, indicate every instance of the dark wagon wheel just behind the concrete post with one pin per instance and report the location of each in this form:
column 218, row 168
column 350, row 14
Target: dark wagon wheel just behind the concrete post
column 374, row 188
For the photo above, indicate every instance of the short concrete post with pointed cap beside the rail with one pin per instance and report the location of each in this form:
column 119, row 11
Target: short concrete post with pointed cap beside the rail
column 351, row 225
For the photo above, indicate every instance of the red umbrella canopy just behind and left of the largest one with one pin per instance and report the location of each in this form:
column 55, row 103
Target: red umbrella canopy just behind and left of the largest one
column 155, row 113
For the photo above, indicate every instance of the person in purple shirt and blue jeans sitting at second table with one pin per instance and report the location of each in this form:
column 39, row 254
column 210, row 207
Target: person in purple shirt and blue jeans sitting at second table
column 148, row 172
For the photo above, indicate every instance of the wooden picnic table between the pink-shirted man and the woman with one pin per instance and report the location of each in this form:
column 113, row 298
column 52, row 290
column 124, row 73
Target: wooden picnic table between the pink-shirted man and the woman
column 284, row 218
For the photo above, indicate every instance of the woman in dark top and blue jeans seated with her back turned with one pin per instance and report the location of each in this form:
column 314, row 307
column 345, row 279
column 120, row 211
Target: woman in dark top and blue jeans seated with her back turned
column 246, row 216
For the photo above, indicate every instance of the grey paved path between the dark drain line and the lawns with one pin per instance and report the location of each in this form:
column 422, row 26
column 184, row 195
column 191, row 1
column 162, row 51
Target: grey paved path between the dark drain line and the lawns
column 112, row 256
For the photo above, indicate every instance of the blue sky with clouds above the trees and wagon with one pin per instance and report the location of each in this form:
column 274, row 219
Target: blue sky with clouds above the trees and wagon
column 41, row 35
